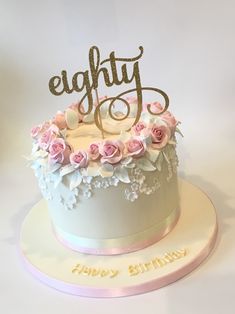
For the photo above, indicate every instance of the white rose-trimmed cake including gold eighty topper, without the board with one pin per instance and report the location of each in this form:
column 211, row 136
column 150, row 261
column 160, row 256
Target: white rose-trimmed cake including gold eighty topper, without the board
column 108, row 167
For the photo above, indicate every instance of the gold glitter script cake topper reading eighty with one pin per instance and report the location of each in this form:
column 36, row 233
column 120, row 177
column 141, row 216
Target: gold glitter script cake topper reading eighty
column 87, row 82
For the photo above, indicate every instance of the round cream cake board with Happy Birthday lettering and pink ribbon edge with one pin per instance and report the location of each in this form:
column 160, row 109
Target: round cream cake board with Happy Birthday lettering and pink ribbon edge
column 158, row 265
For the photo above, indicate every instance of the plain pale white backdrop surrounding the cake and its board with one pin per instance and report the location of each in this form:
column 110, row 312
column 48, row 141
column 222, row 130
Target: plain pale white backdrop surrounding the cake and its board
column 189, row 53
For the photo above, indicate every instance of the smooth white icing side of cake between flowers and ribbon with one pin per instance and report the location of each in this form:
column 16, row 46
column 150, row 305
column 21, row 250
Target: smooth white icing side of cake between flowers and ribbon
column 107, row 214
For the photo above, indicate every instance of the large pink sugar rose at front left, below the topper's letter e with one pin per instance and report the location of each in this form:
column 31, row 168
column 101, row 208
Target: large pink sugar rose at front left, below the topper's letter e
column 59, row 152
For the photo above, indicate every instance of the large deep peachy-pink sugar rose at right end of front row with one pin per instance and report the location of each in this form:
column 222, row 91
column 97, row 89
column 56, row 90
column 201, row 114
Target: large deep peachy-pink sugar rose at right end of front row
column 160, row 135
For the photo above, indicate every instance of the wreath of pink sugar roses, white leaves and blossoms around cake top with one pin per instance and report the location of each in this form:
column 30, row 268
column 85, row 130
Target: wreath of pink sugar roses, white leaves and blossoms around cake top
column 149, row 146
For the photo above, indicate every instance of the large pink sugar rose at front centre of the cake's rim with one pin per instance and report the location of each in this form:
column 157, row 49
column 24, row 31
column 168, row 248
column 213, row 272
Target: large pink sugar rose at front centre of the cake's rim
column 111, row 151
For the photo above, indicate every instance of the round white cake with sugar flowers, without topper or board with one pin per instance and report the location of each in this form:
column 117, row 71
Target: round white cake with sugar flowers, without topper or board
column 112, row 195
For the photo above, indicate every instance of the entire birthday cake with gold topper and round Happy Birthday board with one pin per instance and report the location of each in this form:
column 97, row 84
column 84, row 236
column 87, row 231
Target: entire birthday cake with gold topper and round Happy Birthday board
column 107, row 170
